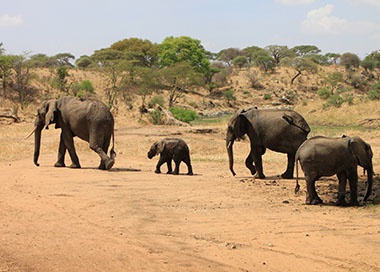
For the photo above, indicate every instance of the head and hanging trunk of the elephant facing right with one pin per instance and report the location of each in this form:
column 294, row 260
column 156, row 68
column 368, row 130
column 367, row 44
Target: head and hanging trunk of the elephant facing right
column 362, row 152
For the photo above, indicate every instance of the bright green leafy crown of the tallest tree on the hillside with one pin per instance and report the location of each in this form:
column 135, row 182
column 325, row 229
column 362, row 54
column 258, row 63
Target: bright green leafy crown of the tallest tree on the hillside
column 184, row 49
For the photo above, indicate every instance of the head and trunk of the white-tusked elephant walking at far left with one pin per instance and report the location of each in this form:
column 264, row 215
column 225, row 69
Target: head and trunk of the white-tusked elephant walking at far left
column 46, row 115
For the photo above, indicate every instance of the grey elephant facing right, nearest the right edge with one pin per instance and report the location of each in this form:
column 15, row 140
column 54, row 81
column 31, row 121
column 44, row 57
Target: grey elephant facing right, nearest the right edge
column 323, row 156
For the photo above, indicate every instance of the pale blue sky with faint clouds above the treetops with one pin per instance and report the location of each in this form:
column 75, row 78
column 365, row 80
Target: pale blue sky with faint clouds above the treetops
column 81, row 27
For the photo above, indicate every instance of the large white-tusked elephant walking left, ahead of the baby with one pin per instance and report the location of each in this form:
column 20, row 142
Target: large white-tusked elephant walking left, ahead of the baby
column 88, row 119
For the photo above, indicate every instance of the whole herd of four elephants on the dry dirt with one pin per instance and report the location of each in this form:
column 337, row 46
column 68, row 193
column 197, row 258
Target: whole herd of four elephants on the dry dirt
column 283, row 131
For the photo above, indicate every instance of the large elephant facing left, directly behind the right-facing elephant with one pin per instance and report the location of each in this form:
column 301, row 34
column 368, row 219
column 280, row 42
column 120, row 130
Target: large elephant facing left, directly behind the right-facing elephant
column 278, row 130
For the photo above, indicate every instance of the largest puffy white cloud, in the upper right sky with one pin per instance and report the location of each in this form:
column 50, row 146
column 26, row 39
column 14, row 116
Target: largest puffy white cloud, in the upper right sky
column 323, row 21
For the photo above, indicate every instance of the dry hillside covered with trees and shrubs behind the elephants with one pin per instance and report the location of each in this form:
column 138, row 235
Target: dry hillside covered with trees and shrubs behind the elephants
column 135, row 75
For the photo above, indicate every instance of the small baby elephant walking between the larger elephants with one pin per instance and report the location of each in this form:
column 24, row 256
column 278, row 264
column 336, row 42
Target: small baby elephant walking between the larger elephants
column 171, row 149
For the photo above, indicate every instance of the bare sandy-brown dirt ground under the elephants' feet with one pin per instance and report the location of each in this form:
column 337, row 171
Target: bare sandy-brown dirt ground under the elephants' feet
column 131, row 219
